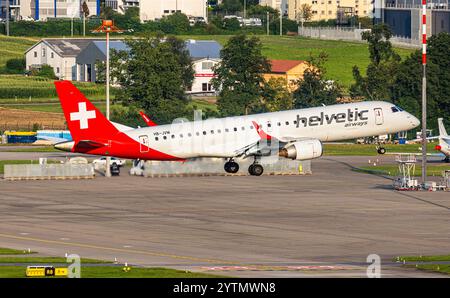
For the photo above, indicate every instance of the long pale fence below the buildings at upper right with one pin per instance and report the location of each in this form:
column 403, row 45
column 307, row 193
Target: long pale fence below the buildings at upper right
column 352, row 34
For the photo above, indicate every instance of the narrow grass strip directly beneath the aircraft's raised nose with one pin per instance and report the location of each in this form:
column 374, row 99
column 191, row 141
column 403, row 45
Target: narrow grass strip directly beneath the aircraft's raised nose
column 370, row 150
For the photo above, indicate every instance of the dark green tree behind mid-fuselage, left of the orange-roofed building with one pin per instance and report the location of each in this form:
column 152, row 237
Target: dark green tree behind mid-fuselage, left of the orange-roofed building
column 240, row 75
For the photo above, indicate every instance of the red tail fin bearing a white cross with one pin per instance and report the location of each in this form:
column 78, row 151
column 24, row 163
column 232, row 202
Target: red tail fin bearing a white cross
column 85, row 121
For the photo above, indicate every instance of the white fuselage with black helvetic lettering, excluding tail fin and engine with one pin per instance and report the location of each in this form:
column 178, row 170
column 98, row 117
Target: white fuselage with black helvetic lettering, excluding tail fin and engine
column 227, row 137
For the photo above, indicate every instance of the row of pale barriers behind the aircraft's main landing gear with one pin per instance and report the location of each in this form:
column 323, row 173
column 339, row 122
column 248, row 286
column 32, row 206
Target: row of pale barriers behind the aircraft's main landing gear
column 214, row 166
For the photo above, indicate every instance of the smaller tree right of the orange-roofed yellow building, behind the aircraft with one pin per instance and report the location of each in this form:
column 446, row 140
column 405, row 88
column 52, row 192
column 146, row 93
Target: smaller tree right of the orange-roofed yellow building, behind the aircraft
column 313, row 89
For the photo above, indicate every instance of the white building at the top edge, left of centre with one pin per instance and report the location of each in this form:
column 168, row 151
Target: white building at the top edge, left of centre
column 156, row 9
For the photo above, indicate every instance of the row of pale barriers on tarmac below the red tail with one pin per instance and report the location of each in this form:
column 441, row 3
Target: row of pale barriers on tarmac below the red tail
column 48, row 171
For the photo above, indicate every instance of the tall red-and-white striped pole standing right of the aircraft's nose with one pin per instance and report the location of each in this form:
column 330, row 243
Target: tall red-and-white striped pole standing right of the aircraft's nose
column 424, row 91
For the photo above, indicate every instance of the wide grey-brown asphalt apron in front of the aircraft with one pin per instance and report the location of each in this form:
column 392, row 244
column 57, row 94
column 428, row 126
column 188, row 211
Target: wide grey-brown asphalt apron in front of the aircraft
column 321, row 225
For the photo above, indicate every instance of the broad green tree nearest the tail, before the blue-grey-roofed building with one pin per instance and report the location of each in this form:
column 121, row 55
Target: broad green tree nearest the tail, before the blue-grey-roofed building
column 153, row 77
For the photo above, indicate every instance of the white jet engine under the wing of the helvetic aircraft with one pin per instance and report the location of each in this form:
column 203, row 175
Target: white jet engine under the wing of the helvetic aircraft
column 302, row 150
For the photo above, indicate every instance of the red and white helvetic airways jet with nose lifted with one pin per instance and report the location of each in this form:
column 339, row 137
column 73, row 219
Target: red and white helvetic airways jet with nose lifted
column 294, row 134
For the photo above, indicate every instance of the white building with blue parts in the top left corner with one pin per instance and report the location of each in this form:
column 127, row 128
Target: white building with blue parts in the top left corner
column 45, row 9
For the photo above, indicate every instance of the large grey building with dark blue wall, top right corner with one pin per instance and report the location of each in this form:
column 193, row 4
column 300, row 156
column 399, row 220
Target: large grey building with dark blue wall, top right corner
column 404, row 17
